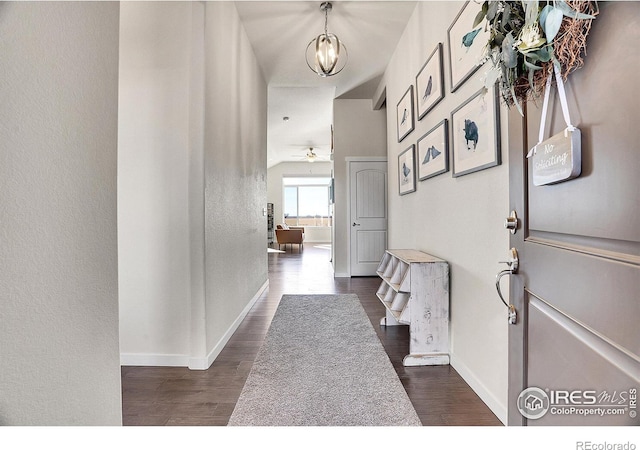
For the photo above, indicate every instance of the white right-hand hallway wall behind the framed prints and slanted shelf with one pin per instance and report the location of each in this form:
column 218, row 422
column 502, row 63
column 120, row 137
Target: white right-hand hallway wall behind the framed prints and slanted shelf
column 458, row 219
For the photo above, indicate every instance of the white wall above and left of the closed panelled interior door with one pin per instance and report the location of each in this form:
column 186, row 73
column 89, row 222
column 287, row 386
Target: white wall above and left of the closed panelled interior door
column 359, row 131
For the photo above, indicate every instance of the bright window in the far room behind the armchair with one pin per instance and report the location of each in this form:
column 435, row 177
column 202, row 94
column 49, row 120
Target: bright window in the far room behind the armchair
column 306, row 201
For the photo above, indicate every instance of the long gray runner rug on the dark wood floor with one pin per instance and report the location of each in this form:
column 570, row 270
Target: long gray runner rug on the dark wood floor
column 322, row 364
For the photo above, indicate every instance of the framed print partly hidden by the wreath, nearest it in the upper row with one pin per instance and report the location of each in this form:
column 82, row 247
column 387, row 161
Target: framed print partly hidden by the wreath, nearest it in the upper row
column 466, row 44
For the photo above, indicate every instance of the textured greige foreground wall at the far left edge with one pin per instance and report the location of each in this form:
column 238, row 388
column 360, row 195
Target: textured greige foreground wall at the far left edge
column 58, row 270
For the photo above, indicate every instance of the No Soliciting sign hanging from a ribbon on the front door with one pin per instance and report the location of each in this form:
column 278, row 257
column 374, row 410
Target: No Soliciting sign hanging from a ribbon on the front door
column 558, row 158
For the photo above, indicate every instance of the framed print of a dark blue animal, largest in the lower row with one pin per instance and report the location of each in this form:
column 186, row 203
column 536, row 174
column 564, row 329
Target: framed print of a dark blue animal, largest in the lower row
column 475, row 127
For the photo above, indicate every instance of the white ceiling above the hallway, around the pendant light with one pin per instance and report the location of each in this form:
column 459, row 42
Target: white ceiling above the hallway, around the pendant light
column 279, row 33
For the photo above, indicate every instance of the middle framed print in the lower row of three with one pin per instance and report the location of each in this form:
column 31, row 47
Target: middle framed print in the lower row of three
column 433, row 152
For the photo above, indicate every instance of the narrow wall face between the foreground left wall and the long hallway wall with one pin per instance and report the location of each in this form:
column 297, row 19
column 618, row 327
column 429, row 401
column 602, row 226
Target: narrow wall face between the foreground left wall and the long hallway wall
column 153, row 182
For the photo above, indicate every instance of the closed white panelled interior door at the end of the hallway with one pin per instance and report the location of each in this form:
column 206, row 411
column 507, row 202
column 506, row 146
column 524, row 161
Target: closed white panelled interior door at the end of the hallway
column 368, row 215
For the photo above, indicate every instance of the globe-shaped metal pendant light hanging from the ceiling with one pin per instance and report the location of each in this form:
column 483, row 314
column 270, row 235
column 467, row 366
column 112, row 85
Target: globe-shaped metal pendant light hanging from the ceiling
column 326, row 55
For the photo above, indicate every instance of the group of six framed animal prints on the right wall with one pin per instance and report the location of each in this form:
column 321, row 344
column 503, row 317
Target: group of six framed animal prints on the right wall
column 466, row 140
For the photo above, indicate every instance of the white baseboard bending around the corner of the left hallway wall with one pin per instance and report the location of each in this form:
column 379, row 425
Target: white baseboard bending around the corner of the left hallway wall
column 150, row 359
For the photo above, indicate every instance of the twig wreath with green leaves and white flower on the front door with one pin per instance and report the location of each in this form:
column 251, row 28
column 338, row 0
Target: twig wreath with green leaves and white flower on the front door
column 526, row 38
